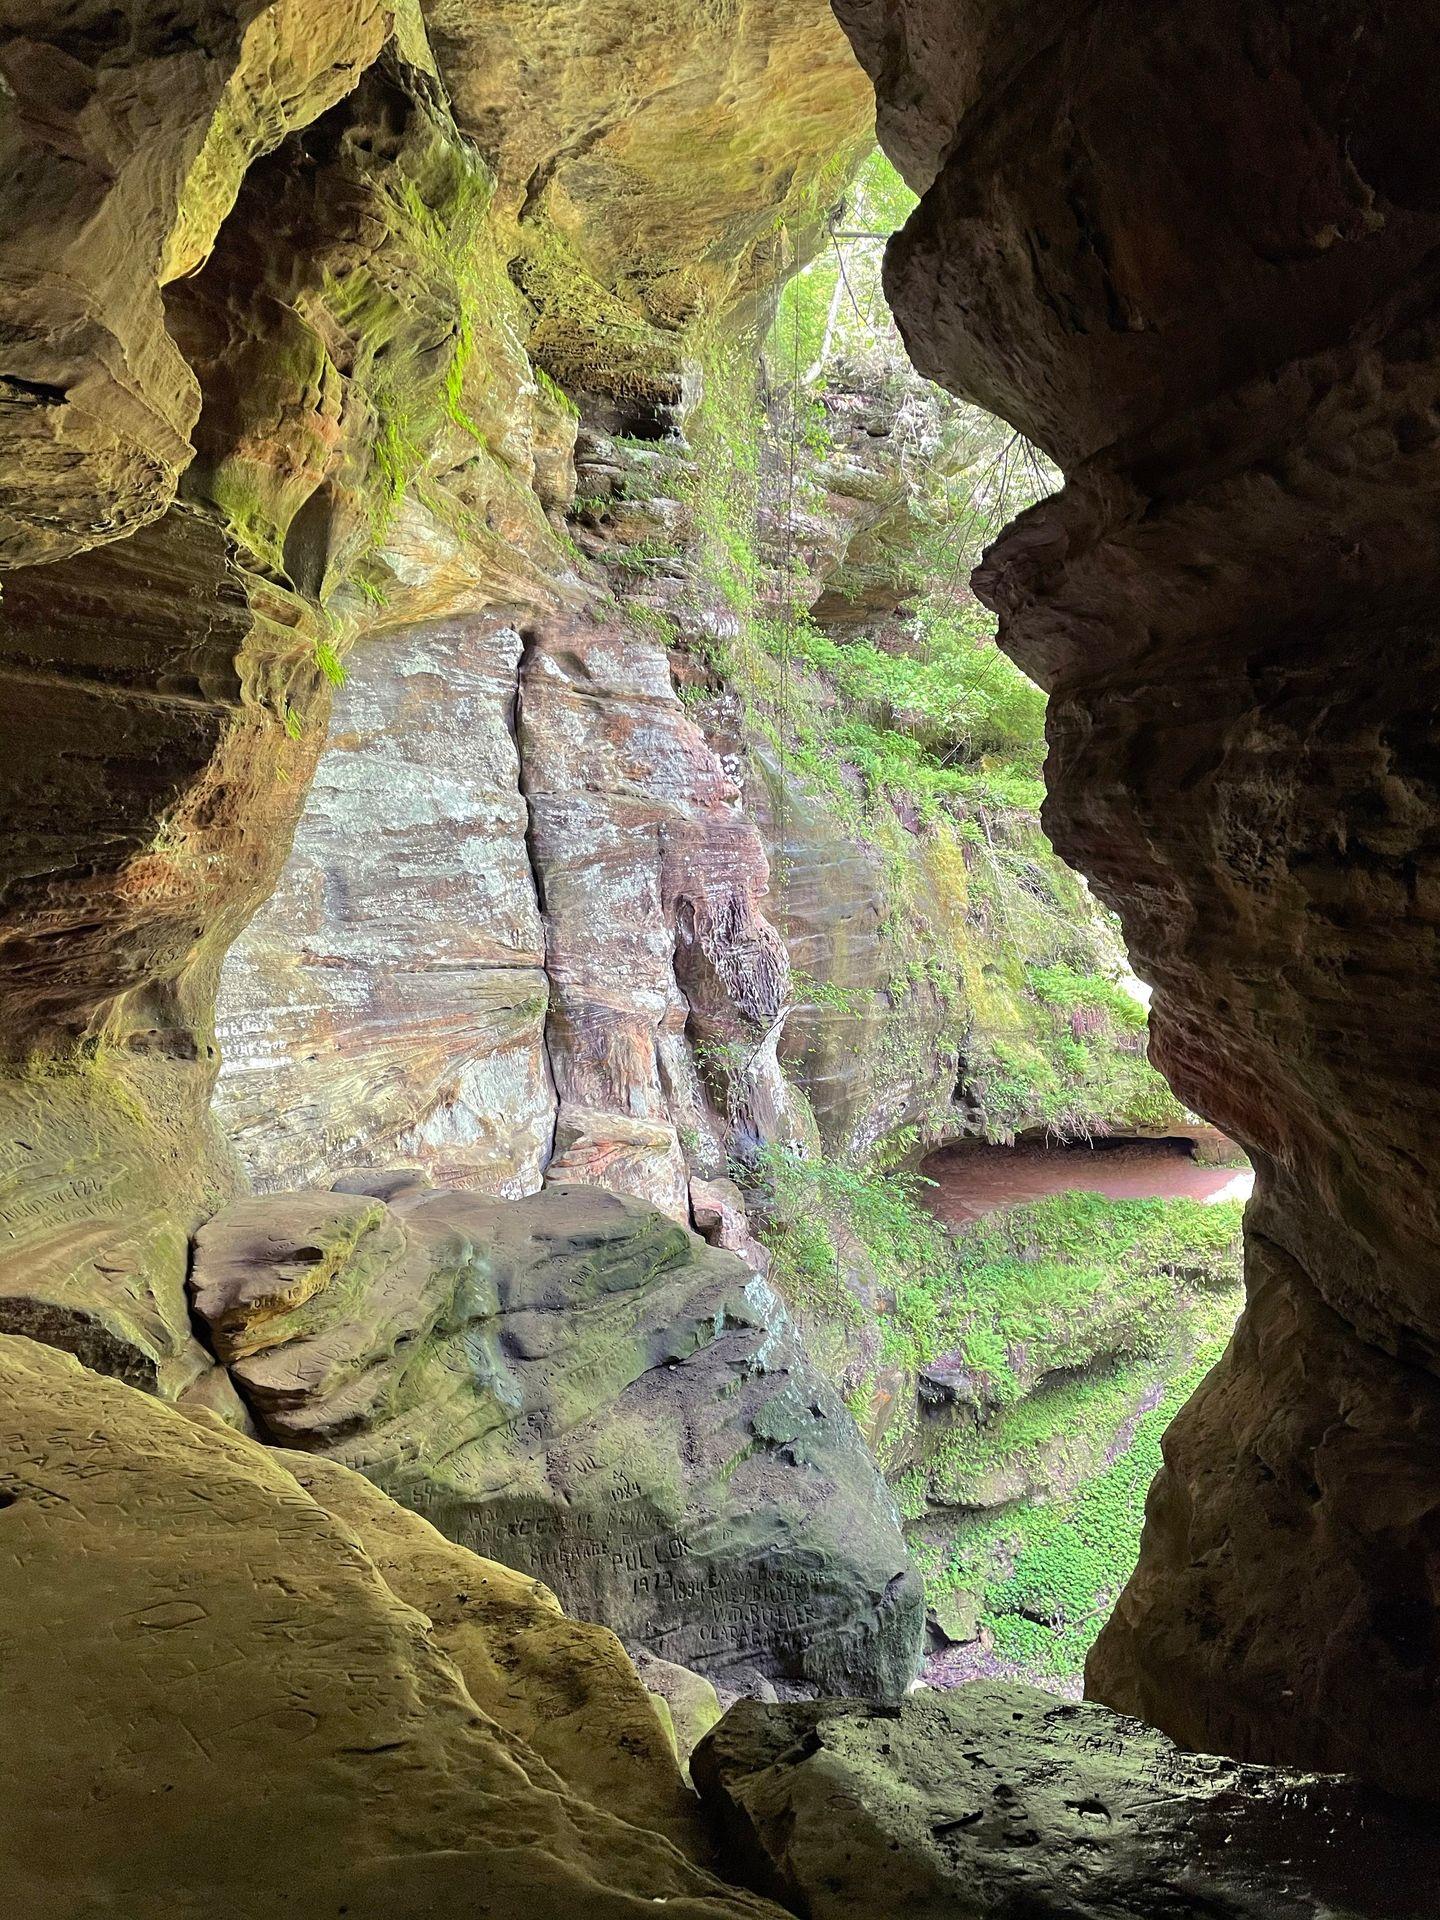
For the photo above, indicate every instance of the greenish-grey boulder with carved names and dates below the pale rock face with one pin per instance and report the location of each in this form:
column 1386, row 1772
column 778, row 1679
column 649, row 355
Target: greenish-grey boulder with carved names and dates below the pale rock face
column 581, row 1389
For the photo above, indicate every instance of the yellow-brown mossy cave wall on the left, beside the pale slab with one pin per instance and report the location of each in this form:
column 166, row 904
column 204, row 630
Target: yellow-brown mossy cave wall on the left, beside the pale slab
column 266, row 387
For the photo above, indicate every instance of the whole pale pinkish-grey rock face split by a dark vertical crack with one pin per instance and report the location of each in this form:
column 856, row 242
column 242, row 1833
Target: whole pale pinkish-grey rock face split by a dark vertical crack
column 525, row 905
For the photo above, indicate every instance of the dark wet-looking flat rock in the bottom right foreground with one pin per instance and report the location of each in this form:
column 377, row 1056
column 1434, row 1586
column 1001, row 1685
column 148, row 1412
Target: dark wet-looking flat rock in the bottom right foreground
column 1003, row 1802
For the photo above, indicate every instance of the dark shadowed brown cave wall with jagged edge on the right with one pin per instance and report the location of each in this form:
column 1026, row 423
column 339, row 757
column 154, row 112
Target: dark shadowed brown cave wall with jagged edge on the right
column 1191, row 252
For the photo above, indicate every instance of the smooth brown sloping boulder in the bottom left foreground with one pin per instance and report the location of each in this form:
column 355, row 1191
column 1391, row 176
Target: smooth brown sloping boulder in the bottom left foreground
column 216, row 1702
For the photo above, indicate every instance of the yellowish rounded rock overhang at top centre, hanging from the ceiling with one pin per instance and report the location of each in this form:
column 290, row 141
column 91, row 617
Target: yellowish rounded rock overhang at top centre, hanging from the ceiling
column 660, row 164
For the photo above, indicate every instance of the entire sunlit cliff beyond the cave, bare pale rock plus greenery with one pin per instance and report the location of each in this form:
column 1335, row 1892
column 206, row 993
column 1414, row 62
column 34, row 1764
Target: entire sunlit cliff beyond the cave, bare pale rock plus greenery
column 727, row 867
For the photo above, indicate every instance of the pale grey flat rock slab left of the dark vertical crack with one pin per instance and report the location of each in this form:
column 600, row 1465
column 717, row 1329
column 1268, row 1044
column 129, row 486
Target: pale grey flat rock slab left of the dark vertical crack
column 389, row 1001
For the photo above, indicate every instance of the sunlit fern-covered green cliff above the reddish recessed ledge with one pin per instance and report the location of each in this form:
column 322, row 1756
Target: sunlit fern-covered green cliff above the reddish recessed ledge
column 923, row 740
